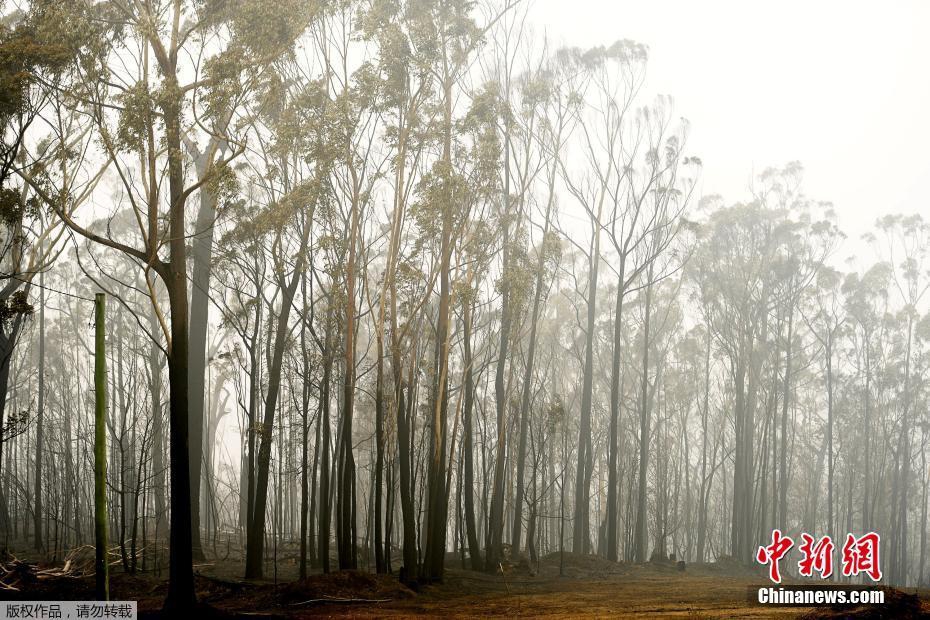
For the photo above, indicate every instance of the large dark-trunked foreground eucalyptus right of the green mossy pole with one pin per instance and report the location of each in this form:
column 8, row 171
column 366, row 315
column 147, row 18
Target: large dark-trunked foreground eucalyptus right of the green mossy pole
column 221, row 48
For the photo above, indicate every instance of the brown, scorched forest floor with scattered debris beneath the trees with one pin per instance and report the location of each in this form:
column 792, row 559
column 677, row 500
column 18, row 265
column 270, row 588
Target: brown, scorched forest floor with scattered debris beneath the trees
column 588, row 587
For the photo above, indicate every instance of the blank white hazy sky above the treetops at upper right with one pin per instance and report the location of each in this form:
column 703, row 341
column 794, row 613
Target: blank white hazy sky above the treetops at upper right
column 841, row 86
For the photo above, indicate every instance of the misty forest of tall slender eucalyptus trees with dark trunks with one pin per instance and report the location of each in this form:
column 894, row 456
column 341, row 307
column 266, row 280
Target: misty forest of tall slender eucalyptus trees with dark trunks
column 405, row 287
